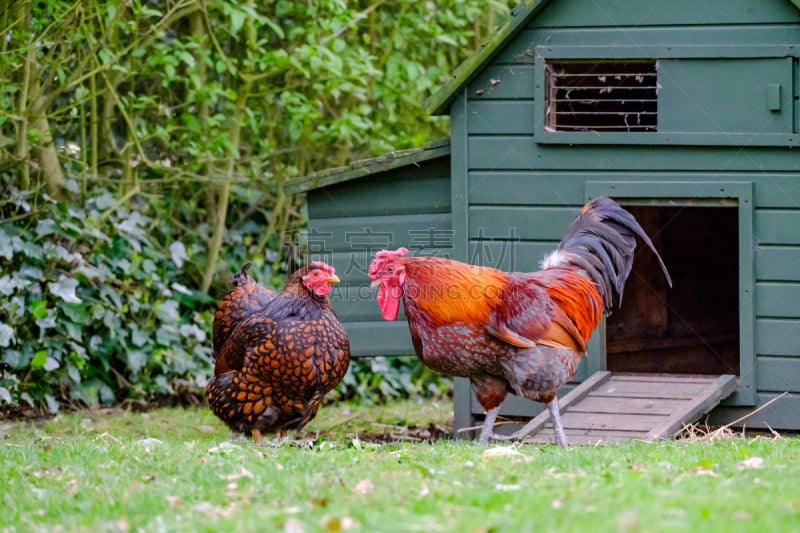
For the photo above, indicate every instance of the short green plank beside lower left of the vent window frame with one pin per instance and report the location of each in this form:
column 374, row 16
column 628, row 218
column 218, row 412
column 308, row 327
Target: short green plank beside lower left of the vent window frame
column 500, row 117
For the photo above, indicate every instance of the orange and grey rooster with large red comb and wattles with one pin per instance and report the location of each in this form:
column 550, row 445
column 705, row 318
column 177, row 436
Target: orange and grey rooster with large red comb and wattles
column 517, row 332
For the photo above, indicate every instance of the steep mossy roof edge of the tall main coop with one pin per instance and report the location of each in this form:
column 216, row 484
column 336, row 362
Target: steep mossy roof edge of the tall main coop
column 439, row 102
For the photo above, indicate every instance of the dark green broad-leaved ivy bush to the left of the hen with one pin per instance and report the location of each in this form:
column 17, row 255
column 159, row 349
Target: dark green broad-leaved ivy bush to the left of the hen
column 94, row 307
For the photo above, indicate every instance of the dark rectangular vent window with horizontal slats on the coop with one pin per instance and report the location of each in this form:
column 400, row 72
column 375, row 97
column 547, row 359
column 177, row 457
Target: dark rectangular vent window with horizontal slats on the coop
column 601, row 96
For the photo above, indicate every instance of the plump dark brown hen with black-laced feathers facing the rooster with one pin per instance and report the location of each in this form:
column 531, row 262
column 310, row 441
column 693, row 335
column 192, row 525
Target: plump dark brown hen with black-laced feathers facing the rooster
column 276, row 355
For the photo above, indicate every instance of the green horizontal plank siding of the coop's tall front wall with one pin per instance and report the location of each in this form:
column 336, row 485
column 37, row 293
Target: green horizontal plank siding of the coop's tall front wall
column 511, row 180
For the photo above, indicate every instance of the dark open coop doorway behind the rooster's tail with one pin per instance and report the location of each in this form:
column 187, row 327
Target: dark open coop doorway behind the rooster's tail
column 693, row 327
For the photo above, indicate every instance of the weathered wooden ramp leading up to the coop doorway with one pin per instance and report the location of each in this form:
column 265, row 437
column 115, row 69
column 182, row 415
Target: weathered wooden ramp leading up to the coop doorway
column 612, row 407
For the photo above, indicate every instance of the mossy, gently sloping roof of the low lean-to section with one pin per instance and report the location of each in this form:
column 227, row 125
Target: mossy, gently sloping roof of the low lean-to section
column 366, row 167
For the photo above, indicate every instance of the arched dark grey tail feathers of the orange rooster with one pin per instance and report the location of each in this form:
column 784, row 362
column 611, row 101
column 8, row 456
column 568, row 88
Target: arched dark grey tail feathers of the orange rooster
column 601, row 242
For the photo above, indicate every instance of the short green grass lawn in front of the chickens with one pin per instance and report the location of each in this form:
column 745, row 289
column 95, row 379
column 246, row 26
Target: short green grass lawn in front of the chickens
column 178, row 470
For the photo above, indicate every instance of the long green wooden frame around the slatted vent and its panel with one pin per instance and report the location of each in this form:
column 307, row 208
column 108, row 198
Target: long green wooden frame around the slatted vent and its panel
column 545, row 54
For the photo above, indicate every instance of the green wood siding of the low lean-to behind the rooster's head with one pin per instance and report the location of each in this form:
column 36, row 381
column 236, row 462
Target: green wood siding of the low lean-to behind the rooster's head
column 350, row 221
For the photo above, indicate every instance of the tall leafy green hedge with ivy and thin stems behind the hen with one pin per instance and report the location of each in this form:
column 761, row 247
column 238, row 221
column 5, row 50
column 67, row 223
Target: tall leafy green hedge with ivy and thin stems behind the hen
column 143, row 150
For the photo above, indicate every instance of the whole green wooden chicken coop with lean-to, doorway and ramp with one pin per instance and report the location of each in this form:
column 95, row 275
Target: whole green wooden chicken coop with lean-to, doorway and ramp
column 685, row 112
